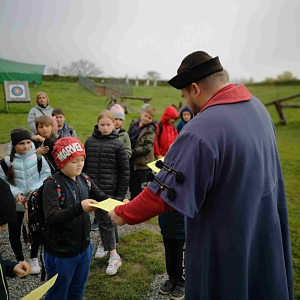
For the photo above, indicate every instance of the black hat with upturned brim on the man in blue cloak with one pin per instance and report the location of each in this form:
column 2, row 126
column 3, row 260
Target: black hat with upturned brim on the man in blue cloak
column 194, row 67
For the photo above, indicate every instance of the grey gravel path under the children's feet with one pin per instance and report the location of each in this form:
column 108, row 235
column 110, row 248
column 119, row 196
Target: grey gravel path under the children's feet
column 18, row 288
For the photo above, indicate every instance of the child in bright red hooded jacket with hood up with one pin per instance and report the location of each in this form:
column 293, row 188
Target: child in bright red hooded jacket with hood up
column 166, row 132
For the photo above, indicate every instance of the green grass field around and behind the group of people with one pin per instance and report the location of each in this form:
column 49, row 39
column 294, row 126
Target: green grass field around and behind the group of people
column 82, row 107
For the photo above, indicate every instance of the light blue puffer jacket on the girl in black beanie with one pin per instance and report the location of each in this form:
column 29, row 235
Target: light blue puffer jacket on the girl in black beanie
column 27, row 177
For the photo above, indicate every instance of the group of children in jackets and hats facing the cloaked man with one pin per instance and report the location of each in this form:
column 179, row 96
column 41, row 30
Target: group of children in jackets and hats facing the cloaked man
column 115, row 163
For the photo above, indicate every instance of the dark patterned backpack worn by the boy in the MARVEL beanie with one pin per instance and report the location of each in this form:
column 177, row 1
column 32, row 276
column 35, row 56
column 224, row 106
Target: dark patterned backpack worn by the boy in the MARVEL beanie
column 36, row 218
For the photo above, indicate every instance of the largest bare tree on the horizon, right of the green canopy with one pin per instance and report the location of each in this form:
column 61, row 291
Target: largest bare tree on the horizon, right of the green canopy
column 81, row 67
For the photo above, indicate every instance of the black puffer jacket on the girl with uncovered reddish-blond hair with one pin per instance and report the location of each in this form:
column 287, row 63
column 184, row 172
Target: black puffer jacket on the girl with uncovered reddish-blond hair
column 107, row 163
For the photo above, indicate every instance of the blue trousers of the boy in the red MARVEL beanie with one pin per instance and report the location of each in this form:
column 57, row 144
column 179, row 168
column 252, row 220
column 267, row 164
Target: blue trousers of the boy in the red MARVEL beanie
column 72, row 275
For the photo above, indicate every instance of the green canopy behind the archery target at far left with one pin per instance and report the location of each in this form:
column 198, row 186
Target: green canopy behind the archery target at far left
column 15, row 71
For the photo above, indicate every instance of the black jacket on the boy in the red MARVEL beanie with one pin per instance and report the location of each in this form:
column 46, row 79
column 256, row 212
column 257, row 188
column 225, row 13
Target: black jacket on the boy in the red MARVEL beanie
column 67, row 231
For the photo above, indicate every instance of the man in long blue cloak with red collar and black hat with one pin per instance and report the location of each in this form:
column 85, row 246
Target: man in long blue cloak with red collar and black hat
column 232, row 196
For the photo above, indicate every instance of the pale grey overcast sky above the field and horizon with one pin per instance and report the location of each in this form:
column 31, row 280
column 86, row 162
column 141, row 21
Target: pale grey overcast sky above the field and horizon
column 252, row 38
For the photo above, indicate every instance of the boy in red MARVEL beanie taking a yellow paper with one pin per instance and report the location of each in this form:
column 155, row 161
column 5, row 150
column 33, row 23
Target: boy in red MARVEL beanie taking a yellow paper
column 68, row 250
